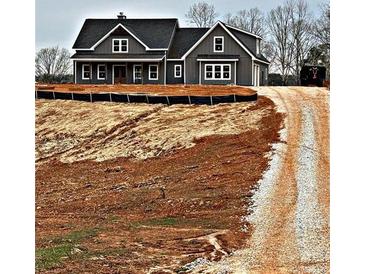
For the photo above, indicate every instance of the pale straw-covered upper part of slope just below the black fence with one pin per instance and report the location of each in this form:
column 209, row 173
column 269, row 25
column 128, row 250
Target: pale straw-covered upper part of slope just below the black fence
column 73, row 131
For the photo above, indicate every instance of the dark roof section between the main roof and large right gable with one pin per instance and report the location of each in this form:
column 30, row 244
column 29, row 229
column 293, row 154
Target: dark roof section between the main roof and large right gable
column 183, row 40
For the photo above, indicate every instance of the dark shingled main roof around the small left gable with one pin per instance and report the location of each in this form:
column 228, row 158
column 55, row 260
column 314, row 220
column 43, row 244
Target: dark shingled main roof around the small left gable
column 155, row 33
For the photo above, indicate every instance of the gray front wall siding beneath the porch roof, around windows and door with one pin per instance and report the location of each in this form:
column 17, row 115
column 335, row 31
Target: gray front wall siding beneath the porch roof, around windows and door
column 109, row 75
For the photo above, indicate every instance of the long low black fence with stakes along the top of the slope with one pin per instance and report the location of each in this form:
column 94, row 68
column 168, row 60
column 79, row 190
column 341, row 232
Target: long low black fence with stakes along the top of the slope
column 143, row 98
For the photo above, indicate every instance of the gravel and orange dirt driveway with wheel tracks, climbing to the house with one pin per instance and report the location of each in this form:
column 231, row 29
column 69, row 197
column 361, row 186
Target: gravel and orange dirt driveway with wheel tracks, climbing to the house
column 290, row 211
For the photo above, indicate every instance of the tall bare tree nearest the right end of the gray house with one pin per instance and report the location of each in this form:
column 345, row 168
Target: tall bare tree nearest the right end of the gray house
column 279, row 23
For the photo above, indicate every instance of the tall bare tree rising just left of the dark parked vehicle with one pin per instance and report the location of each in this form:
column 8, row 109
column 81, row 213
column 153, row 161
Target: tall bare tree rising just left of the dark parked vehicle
column 301, row 36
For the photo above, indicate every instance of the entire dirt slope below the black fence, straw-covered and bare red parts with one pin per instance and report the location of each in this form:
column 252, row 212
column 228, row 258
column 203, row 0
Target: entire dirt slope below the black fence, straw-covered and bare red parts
column 146, row 189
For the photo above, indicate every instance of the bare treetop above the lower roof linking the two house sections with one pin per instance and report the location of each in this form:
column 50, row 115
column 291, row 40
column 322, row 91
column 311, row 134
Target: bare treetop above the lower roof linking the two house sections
column 201, row 14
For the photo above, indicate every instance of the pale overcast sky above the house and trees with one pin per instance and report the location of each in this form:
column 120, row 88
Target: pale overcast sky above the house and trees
column 59, row 21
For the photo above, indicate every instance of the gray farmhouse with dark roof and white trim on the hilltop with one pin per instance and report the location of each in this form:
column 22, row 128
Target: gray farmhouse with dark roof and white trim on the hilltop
column 158, row 51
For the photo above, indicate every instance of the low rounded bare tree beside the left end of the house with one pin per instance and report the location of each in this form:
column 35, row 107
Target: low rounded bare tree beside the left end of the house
column 52, row 61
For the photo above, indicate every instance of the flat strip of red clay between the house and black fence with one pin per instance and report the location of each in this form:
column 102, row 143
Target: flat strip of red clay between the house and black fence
column 152, row 89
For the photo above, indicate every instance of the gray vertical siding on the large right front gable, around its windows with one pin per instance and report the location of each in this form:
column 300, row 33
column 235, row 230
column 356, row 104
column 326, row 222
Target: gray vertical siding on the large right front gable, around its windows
column 244, row 65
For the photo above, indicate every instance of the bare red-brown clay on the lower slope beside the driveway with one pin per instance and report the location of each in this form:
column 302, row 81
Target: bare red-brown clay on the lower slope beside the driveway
column 134, row 216
